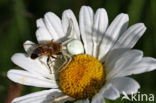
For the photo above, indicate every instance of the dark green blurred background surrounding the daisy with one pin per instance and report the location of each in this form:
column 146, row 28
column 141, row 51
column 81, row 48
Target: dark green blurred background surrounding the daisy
column 18, row 24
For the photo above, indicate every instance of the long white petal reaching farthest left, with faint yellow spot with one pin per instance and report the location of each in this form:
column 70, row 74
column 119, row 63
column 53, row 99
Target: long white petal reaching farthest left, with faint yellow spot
column 27, row 78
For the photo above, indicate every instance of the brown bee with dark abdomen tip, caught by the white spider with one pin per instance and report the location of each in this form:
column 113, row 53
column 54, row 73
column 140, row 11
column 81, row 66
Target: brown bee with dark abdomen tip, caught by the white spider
column 51, row 49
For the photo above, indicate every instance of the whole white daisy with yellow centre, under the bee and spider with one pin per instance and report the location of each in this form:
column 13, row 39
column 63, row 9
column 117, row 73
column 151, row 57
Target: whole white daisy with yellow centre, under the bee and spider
column 101, row 59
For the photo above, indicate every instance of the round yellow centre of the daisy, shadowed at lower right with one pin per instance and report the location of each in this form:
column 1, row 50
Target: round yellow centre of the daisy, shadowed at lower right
column 83, row 77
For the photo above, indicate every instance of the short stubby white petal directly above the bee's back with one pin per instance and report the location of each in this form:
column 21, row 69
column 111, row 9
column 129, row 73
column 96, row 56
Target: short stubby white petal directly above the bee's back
column 41, row 35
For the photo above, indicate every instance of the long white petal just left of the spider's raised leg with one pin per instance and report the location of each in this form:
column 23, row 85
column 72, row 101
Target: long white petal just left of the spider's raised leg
column 54, row 25
